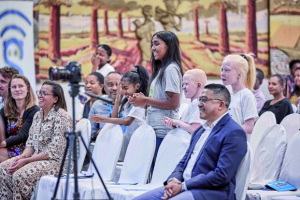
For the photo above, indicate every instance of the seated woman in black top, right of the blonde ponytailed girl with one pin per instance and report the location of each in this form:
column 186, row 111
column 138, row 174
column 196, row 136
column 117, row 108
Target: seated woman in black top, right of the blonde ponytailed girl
column 280, row 105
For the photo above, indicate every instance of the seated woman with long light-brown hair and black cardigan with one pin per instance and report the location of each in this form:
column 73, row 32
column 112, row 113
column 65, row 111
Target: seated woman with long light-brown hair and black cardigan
column 18, row 113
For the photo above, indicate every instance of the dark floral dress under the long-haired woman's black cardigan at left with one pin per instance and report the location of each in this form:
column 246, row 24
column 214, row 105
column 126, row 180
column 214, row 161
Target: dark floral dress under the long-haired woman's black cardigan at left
column 13, row 128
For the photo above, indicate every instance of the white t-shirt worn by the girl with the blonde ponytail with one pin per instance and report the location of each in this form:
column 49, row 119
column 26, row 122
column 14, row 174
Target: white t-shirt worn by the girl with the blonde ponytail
column 243, row 106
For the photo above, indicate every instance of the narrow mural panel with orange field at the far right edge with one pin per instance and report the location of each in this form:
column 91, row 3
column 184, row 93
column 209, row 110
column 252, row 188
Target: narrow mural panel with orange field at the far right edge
column 284, row 34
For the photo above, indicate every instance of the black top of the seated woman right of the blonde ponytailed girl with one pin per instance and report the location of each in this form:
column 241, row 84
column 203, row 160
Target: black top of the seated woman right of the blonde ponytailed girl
column 280, row 109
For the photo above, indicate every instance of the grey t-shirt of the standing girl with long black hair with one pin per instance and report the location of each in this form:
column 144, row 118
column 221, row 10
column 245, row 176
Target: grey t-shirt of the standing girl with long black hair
column 172, row 82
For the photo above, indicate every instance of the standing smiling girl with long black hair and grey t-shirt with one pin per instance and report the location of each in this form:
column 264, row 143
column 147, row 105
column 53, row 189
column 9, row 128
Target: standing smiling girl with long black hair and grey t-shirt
column 166, row 84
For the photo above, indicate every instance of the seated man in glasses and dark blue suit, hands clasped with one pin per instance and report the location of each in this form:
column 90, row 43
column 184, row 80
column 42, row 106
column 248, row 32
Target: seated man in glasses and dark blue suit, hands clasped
column 207, row 170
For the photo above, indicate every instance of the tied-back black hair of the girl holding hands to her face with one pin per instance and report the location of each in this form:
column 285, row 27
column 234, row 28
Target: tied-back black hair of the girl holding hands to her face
column 138, row 74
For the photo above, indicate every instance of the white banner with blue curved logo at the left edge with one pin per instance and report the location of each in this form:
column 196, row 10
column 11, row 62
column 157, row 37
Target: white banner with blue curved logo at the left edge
column 16, row 37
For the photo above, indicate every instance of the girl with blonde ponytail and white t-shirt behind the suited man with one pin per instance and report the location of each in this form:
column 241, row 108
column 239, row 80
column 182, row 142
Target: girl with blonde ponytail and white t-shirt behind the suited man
column 239, row 72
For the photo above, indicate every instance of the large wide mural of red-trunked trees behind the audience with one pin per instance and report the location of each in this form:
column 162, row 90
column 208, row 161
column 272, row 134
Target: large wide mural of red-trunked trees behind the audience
column 207, row 30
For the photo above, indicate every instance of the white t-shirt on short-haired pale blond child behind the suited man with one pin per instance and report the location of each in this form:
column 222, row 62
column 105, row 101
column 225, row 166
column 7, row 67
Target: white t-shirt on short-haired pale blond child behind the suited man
column 192, row 114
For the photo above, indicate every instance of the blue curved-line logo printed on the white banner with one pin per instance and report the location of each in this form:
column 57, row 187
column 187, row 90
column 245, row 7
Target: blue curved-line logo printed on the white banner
column 14, row 41
